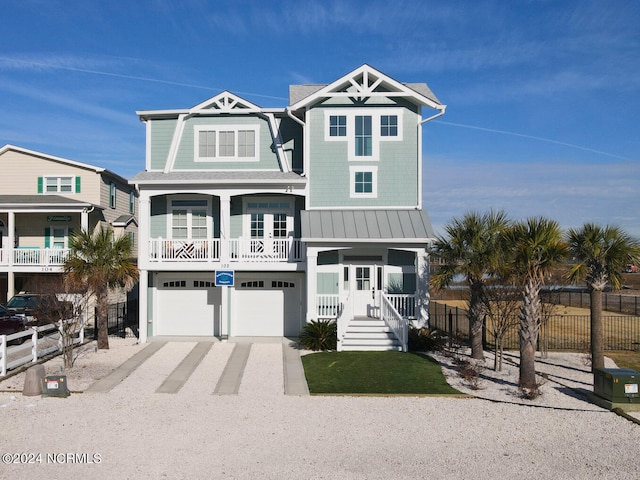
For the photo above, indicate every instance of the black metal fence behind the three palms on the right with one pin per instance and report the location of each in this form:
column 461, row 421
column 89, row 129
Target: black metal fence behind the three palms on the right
column 558, row 332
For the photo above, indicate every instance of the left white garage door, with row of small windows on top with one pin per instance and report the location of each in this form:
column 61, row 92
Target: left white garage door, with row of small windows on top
column 187, row 307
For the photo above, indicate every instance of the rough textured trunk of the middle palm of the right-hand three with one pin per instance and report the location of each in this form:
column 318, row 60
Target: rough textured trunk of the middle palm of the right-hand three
column 529, row 328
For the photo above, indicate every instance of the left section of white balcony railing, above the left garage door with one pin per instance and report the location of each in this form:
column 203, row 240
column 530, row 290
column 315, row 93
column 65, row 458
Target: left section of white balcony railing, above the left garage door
column 184, row 250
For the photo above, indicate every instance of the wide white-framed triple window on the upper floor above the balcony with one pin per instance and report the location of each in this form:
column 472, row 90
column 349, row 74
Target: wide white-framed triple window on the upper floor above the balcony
column 238, row 143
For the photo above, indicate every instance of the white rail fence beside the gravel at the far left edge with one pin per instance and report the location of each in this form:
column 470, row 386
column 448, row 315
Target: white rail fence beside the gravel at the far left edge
column 36, row 346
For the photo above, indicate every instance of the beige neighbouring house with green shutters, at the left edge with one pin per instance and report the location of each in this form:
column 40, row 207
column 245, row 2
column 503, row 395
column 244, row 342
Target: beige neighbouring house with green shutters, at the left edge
column 43, row 200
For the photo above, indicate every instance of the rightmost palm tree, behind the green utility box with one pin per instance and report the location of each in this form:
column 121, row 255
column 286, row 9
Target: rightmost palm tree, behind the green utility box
column 601, row 254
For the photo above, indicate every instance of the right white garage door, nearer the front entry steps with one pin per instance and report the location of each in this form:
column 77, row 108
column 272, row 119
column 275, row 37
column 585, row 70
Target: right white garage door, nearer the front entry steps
column 266, row 308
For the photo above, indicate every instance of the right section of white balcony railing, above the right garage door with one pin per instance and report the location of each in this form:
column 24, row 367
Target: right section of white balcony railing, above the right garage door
column 266, row 250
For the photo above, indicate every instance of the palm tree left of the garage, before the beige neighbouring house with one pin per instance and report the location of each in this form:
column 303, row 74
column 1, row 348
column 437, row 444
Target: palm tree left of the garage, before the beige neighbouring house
column 101, row 262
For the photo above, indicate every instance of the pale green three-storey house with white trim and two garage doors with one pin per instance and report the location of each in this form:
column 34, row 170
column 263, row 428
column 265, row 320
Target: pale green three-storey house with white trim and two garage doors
column 254, row 221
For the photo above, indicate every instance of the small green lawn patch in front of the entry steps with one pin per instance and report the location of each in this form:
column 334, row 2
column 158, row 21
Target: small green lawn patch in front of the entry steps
column 381, row 373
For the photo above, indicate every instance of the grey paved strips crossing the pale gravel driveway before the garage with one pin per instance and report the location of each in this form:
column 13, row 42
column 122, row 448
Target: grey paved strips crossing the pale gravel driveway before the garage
column 229, row 382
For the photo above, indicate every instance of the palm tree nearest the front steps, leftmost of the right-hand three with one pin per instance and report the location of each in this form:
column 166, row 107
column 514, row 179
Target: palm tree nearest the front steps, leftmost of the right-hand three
column 471, row 248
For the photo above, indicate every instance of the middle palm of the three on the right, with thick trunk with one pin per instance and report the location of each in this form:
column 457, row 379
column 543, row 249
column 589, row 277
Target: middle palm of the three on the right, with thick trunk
column 536, row 247
